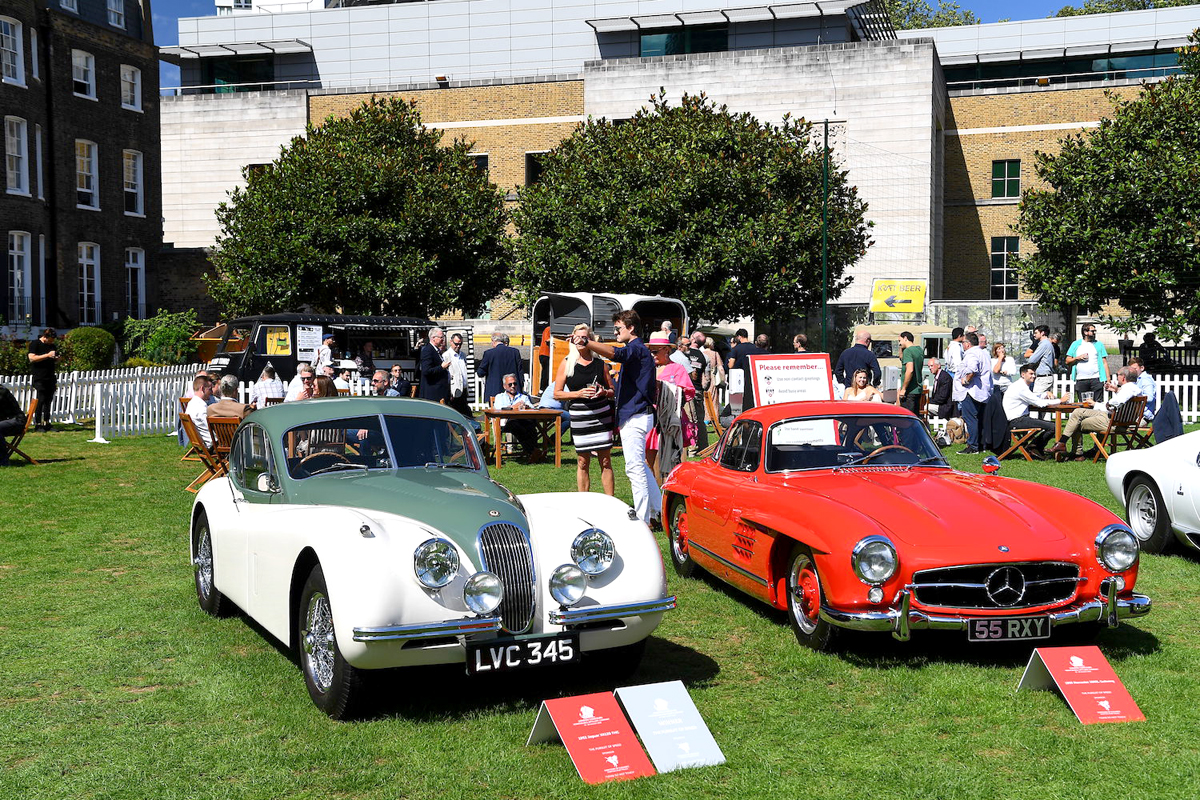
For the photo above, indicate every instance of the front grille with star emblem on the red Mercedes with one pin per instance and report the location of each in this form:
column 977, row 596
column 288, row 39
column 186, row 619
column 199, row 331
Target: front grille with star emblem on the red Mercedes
column 998, row 586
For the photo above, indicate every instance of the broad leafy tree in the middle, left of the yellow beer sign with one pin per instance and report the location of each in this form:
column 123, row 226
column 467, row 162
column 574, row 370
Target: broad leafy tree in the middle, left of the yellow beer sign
column 691, row 202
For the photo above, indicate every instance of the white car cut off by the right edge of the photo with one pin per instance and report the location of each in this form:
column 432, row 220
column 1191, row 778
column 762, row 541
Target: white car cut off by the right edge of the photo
column 1161, row 490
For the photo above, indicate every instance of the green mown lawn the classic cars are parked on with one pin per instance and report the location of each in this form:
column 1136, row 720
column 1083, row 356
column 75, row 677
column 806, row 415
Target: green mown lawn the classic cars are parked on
column 116, row 684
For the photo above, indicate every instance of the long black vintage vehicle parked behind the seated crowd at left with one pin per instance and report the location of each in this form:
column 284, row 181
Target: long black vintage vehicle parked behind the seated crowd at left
column 285, row 340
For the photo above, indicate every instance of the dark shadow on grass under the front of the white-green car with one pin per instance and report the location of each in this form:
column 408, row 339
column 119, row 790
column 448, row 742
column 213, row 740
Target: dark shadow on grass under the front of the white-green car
column 446, row 693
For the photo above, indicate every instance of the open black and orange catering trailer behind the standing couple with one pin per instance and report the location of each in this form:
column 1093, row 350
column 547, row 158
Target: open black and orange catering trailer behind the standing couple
column 557, row 314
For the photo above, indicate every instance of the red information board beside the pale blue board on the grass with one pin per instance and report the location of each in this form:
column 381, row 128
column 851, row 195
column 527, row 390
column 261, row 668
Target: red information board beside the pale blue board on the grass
column 597, row 736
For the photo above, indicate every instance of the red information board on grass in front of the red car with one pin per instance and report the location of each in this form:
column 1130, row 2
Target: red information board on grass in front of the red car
column 1087, row 681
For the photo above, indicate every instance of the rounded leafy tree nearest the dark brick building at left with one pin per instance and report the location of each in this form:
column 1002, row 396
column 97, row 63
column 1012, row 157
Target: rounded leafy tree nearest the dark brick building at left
column 367, row 214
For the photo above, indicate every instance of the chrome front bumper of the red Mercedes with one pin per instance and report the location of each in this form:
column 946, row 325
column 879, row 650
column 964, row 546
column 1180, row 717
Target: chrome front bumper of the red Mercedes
column 902, row 622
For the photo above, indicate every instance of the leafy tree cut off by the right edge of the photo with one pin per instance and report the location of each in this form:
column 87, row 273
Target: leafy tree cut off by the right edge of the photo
column 1120, row 219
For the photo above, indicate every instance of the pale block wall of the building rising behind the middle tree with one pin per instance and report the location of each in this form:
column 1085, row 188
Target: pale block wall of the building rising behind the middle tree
column 890, row 110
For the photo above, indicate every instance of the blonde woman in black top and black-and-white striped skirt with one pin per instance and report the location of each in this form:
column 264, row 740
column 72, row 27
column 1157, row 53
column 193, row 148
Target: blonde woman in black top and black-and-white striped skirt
column 583, row 383
